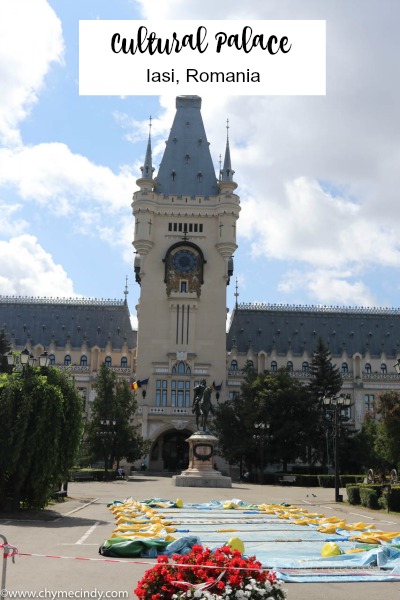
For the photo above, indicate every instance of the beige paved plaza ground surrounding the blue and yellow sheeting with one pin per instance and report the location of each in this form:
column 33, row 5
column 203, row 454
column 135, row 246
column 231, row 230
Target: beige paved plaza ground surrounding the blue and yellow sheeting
column 74, row 530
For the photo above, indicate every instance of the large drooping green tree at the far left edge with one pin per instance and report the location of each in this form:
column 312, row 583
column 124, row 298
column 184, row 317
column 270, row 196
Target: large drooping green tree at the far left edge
column 41, row 416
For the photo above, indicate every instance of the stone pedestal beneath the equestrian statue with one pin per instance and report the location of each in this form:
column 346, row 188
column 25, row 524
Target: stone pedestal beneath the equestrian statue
column 201, row 471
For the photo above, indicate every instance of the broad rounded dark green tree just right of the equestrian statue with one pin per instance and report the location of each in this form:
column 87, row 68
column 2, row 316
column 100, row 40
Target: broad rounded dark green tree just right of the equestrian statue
column 272, row 419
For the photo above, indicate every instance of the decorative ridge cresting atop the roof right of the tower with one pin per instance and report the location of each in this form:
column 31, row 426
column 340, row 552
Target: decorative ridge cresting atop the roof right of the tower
column 318, row 308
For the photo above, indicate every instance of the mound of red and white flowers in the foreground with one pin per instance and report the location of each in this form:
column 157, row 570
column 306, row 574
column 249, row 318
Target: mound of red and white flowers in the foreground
column 207, row 575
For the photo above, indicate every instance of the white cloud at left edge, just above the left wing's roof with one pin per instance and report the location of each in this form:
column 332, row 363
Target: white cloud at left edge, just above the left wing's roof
column 28, row 270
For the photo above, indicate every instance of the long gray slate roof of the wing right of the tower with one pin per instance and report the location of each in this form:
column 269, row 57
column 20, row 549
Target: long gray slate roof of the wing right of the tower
column 299, row 327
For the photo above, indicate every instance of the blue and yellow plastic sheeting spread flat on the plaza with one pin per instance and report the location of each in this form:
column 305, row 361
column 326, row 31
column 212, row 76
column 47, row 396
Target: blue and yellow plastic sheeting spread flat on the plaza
column 283, row 537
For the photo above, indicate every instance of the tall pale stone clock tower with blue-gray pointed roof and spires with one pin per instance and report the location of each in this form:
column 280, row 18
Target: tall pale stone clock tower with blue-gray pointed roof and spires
column 184, row 236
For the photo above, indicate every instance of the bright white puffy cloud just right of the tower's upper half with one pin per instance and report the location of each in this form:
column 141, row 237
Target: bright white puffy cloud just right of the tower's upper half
column 307, row 224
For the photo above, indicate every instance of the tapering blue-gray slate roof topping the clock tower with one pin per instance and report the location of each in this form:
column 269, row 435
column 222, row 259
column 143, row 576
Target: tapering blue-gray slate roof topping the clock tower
column 186, row 167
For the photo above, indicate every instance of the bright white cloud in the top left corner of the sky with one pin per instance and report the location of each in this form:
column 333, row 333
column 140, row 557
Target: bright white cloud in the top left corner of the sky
column 31, row 39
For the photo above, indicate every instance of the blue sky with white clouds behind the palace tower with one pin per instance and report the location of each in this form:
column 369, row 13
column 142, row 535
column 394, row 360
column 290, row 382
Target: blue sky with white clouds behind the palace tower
column 318, row 176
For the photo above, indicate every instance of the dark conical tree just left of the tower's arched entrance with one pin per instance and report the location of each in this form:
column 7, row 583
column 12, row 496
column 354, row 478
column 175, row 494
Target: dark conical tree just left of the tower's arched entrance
column 111, row 434
